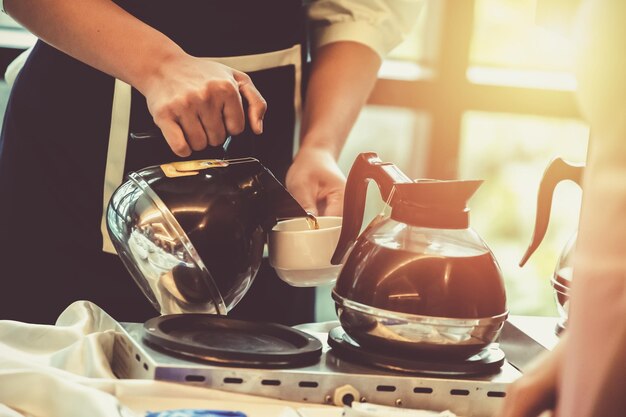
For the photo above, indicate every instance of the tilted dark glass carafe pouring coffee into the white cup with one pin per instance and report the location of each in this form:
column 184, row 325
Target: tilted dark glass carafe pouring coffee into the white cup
column 192, row 233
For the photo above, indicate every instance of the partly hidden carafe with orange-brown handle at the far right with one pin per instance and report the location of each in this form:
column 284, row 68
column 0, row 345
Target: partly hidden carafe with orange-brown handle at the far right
column 558, row 170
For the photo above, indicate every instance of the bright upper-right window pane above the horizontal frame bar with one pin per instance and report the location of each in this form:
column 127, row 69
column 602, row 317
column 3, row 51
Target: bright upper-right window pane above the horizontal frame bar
column 511, row 46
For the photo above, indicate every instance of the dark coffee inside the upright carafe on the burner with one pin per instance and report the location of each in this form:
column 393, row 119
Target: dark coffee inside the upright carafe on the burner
column 431, row 285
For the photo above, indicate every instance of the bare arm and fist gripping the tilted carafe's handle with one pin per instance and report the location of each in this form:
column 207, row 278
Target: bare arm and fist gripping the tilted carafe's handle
column 185, row 94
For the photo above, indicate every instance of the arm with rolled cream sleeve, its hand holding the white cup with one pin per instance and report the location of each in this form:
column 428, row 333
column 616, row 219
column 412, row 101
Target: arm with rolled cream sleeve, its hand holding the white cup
column 350, row 38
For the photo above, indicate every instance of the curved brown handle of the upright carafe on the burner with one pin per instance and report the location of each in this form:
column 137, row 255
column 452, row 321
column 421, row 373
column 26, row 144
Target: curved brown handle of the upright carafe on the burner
column 367, row 166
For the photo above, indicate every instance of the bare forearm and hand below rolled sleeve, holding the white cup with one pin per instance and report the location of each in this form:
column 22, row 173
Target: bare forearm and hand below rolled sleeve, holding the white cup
column 342, row 77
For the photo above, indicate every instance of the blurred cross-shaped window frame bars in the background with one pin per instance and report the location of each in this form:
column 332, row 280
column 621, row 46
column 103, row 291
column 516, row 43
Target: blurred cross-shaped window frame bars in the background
column 449, row 94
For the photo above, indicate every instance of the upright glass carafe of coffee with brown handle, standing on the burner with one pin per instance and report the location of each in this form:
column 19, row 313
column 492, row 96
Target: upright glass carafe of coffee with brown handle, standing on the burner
column 420, row 279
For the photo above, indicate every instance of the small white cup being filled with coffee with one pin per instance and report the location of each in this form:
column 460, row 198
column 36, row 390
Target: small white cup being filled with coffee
column 301, row 255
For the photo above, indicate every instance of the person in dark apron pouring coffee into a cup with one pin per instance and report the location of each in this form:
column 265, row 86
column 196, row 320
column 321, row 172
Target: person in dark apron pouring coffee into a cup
column 104, row 69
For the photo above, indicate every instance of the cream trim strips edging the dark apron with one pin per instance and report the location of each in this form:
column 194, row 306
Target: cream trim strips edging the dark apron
column 120, row 118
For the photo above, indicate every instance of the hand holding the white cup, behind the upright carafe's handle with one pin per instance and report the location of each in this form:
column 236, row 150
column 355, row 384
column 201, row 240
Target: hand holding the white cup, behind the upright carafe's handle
column 316, row 182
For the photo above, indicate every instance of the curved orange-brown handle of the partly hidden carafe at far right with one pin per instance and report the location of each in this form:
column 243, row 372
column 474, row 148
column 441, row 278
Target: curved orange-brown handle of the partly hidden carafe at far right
column 557, row 171
